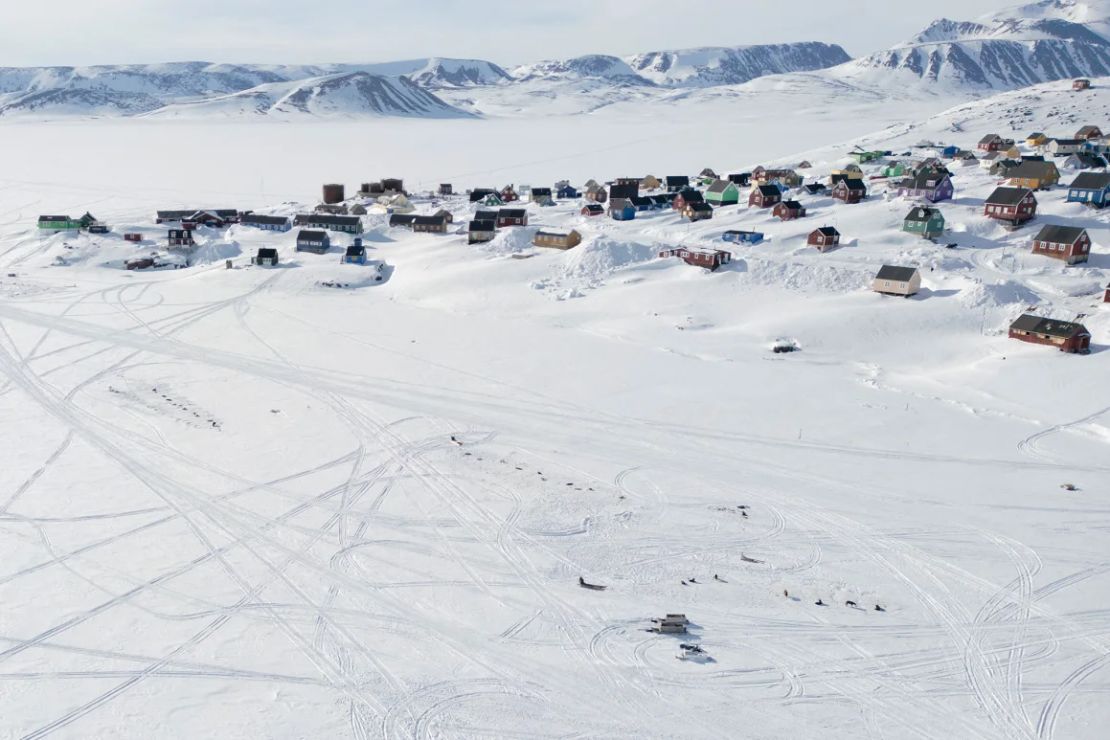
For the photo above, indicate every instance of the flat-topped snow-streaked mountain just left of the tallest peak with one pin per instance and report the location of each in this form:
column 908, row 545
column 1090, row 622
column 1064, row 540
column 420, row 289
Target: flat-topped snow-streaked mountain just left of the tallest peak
column 717, row 66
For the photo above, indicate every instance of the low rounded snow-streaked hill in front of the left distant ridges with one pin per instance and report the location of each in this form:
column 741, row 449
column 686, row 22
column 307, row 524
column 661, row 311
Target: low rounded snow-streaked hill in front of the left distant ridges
column 348, row 95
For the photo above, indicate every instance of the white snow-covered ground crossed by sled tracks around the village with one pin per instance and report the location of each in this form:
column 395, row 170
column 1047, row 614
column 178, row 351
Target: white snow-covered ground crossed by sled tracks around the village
column 233, row 505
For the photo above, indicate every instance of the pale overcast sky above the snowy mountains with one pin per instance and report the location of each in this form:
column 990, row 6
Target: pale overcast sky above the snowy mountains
column 37, row 33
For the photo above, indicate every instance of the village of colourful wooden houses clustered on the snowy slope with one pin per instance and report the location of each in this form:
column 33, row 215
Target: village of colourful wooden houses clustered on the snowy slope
column 927, row 179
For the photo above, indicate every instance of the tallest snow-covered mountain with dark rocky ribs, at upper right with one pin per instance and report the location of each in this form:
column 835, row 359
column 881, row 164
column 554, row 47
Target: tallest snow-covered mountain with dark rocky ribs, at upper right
column 1016, row 48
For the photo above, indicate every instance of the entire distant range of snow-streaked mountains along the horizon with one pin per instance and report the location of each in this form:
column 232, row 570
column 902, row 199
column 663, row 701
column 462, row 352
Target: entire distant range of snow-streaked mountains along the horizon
column 1024, row 46
